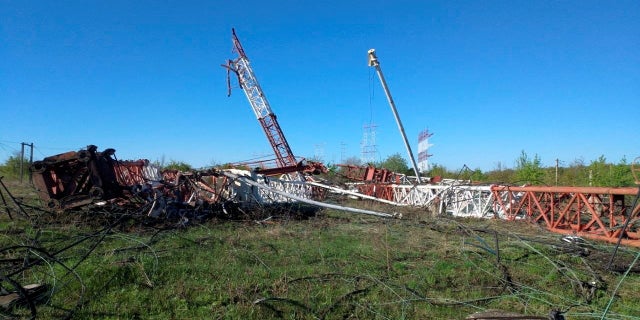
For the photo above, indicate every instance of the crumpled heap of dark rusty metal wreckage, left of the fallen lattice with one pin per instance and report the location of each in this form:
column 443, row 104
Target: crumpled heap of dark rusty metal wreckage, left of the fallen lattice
column 89, row 177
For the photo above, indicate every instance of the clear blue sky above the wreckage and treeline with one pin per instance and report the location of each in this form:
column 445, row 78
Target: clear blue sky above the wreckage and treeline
column 560, row 79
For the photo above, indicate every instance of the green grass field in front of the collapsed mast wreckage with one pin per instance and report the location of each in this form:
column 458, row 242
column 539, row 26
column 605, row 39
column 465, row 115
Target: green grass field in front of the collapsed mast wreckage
column 330, row 265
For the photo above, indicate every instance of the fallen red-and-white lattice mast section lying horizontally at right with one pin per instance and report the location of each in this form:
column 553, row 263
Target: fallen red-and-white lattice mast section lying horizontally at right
column 598, row 213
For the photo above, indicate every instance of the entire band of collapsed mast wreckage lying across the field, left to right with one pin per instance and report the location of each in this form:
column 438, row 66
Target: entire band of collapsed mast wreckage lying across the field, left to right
column 75, row 179
